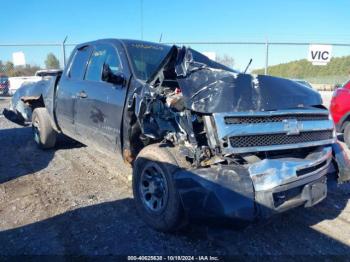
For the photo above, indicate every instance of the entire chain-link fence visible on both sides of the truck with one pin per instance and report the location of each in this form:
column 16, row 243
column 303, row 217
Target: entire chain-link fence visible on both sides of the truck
column 287, row 60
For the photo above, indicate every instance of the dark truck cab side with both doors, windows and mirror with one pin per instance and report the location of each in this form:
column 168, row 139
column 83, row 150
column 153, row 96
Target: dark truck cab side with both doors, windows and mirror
column 89, row 107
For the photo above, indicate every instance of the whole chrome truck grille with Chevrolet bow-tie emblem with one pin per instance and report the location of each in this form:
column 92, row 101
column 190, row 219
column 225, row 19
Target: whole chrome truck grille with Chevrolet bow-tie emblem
column 244, row 132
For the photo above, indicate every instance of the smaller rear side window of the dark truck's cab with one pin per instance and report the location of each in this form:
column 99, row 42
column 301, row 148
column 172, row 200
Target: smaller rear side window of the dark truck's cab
column 78, row 65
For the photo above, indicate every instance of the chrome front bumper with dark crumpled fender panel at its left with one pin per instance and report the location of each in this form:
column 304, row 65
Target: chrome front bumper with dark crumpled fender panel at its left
column 254, row 191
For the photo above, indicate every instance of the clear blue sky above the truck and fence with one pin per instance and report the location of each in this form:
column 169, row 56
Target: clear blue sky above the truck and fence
column 38, row 21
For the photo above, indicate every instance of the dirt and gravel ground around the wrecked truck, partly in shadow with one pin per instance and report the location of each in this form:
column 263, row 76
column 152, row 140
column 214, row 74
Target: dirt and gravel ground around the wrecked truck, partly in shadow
column 74, row 200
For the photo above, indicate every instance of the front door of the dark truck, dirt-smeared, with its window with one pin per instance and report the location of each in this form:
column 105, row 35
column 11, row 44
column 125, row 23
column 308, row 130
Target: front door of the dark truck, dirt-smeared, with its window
column 100, row 104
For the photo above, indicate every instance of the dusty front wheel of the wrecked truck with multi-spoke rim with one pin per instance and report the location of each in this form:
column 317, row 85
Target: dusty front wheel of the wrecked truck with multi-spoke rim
column 169, row 216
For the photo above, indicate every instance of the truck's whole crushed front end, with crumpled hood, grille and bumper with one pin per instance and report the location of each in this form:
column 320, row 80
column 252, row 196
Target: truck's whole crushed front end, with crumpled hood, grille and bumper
column 250, row 146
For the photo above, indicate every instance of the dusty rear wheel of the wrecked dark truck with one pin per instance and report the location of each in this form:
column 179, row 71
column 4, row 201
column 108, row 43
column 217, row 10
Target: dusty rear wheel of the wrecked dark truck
column 43, row 133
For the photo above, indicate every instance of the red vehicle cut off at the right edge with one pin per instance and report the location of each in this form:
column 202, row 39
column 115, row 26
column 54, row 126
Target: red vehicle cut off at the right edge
column 340, row 110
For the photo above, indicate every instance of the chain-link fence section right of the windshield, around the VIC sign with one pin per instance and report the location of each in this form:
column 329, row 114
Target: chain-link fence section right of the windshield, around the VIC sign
column 288, row 60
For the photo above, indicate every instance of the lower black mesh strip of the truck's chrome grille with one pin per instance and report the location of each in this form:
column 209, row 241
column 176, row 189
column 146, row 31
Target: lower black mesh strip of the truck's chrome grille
column 279, row 139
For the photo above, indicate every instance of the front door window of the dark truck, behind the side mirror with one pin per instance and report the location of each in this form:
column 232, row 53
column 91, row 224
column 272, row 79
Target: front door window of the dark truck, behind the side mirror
column 102, row 55
